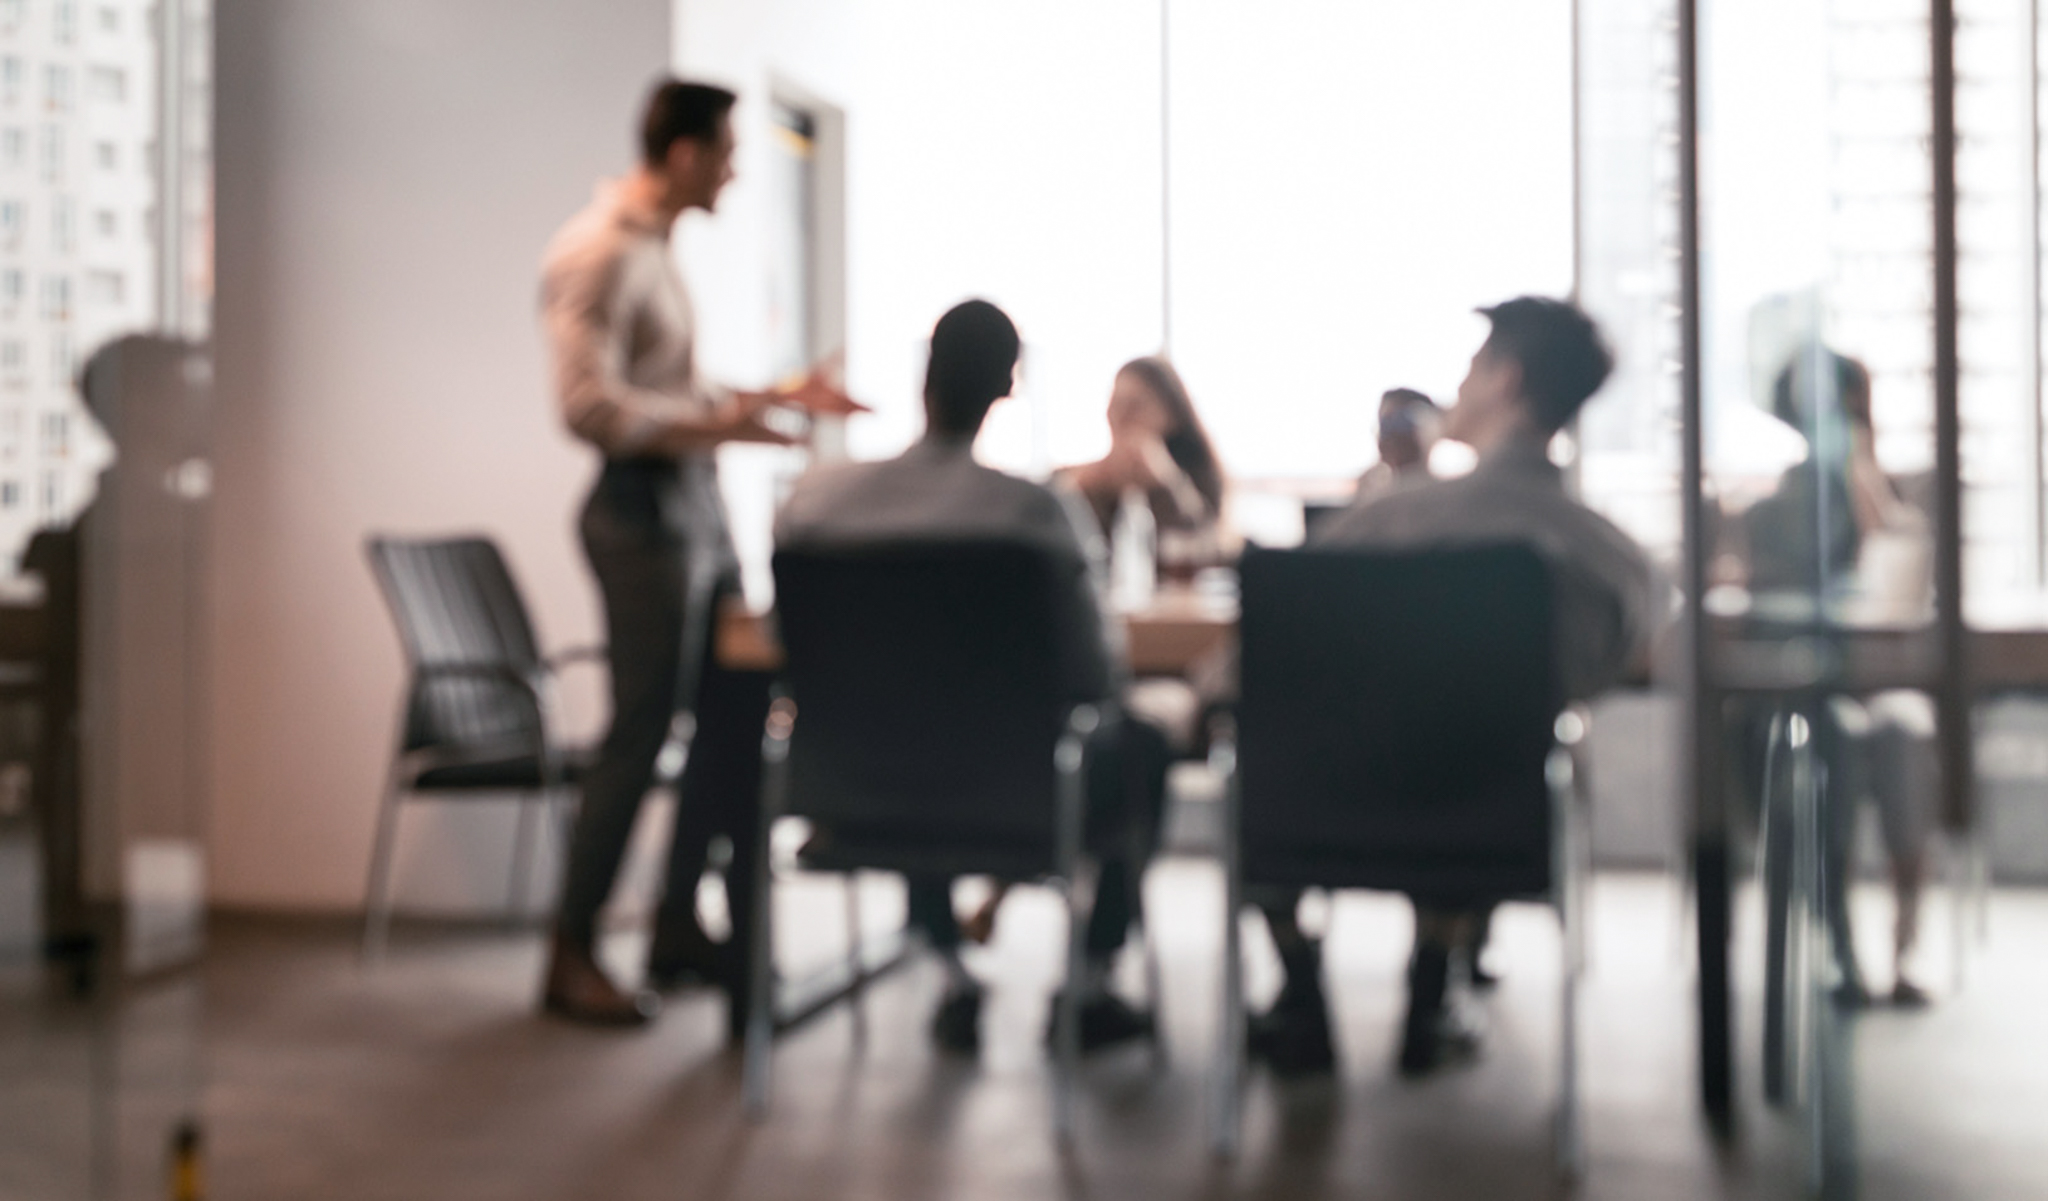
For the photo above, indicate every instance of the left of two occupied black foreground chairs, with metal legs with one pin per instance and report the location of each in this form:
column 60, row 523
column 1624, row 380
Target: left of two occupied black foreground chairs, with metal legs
column 927, row 731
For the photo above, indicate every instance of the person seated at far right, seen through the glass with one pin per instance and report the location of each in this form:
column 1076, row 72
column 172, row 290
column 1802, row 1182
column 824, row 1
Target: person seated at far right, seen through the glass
column 1873, row 556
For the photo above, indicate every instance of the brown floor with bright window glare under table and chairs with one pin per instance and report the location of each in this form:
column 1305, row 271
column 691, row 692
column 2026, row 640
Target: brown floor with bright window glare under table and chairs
column 431, row 1077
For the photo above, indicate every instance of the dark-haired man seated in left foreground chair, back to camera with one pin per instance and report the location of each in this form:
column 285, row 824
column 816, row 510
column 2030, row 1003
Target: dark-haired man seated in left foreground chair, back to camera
column 937, row 491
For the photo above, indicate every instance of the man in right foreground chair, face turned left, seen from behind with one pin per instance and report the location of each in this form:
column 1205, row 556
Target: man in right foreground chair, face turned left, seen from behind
column 1527, row 382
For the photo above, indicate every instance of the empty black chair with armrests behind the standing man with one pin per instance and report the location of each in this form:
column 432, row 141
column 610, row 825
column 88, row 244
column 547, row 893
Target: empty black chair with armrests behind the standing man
column 478, row 710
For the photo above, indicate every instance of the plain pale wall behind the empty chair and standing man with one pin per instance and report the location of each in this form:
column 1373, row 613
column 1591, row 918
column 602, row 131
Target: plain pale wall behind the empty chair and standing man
column 388, row 177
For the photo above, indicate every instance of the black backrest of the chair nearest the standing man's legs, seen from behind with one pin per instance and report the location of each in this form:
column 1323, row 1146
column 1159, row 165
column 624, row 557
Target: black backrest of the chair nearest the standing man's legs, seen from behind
column 927, row 686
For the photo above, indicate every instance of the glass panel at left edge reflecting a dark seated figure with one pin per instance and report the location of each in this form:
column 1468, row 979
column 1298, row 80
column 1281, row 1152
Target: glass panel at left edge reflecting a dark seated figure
column 105, row 382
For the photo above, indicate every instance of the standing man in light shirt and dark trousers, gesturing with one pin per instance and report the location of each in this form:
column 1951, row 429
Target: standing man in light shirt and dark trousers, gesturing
column 624, row 341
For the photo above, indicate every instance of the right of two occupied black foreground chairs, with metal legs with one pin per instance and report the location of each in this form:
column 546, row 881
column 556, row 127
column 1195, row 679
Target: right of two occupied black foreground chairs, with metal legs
column 1398, row 731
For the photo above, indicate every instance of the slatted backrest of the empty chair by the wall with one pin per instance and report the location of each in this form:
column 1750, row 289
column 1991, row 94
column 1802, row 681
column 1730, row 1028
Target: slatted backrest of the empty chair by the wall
column 458, row 608
